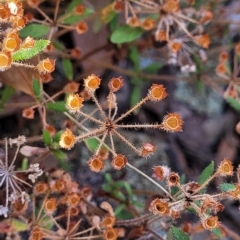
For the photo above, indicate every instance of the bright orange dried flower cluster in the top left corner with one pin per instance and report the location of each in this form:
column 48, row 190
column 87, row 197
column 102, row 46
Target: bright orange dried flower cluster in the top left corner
column 11, row 13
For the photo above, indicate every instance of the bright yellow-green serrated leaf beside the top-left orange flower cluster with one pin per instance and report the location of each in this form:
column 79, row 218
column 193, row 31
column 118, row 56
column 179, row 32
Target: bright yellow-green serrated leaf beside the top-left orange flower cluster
column 27, row 53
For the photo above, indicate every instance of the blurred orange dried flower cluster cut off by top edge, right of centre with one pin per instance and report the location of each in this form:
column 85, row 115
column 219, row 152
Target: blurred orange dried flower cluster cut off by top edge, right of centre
column 173, row 23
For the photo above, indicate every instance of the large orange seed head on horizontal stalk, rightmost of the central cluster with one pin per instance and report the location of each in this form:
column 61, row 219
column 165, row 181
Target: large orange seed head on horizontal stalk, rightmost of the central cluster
column 172, row 123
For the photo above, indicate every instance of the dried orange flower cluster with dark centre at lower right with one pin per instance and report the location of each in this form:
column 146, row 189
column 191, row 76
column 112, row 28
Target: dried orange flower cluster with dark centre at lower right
column 190, row 195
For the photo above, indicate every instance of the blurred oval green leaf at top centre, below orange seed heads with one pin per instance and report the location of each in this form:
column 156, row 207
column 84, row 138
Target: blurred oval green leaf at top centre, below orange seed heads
column 125, row 34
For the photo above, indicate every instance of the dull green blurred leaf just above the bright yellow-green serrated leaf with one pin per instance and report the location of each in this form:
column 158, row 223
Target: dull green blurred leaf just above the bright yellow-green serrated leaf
column 34, row 30
